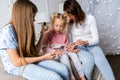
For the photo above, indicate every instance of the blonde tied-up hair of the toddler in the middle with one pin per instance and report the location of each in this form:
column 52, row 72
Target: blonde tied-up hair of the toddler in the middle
column 60, row 16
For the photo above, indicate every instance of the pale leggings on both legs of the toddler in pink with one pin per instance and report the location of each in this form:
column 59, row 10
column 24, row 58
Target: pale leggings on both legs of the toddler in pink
column 65, row 60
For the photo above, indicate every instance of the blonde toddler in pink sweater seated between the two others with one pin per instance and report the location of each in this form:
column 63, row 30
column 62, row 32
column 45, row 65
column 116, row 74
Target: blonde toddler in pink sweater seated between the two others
column 56, row 40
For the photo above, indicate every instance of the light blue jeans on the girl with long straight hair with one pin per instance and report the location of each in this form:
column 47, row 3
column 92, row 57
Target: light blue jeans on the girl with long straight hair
column 44, row 70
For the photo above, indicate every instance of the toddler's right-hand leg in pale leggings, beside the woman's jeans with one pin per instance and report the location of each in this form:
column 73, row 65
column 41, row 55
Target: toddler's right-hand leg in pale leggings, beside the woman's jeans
column 77, row 63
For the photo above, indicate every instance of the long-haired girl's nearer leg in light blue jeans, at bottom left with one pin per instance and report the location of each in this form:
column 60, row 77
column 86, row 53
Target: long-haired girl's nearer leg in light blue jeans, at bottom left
column 35, row 72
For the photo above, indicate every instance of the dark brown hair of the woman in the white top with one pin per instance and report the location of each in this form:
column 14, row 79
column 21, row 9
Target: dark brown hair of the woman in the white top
column 73, row 7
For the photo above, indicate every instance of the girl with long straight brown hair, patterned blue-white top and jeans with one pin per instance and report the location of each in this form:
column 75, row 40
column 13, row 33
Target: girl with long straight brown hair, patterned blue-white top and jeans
column 18, row 51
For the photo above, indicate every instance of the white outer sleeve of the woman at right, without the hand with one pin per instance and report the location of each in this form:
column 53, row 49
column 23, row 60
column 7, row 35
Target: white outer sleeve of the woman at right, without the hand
column 94, row 32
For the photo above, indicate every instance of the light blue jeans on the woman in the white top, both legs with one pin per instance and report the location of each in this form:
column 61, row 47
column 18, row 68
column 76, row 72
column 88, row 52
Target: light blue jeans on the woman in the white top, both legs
column 99, row 59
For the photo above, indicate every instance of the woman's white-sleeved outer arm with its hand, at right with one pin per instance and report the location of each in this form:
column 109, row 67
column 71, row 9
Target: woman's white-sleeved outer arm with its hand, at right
column 93, row 33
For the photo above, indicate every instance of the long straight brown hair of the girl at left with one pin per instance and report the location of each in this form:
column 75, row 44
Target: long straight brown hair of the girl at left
column 22, row 20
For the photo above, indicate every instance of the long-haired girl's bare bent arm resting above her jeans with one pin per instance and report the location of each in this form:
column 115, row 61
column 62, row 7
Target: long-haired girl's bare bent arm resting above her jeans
column 18, row 61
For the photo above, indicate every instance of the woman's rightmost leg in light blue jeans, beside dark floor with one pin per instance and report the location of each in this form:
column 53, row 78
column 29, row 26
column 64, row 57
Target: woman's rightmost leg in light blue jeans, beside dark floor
column 101, row 62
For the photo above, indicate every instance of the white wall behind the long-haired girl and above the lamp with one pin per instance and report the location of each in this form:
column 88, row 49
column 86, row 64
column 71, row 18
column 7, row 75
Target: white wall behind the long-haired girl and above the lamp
column 48, row 6
